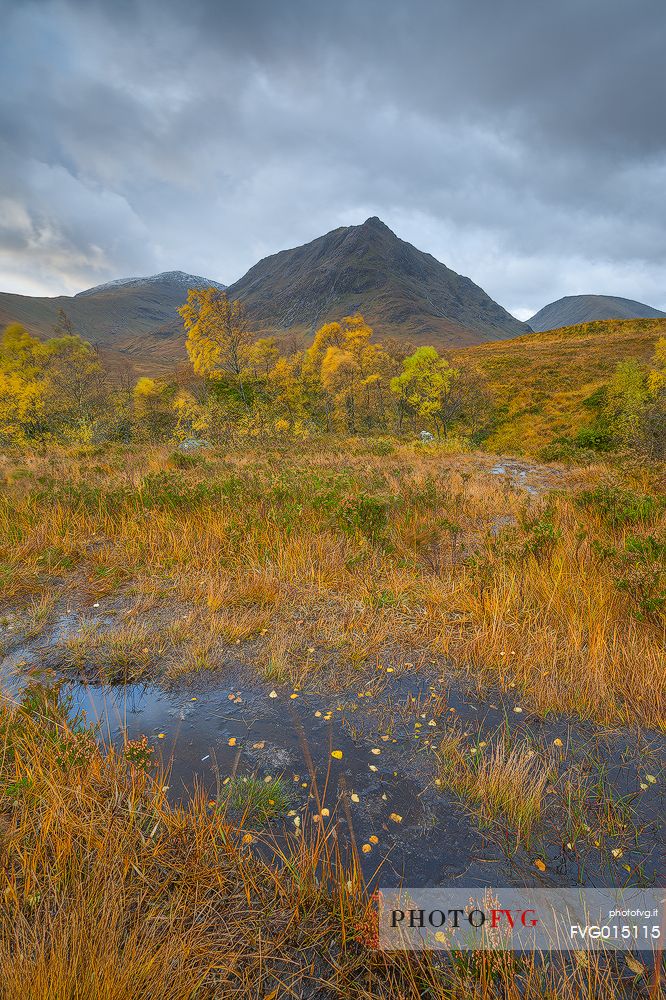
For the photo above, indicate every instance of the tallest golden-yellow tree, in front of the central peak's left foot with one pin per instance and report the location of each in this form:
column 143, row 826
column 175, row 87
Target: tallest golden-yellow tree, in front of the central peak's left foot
column 218, row 337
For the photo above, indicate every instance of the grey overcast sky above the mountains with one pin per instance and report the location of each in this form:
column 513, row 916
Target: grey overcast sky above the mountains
column 522, row 142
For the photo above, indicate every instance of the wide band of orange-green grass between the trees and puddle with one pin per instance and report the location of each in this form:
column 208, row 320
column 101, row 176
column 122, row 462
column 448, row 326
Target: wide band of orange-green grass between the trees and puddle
column 327, row 558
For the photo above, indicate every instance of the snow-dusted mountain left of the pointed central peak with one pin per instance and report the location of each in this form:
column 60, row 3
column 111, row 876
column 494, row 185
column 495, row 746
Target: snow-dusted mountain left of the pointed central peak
column 135, row 317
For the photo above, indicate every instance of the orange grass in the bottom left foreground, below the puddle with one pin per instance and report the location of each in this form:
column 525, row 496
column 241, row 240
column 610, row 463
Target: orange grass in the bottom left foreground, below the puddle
column 109, row 891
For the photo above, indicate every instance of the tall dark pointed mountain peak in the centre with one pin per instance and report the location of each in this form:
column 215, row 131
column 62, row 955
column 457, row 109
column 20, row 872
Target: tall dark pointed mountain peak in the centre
column 400, row 290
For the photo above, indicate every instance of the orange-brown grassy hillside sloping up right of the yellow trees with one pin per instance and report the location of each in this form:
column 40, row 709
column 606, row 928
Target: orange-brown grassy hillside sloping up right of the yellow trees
column 541, row 381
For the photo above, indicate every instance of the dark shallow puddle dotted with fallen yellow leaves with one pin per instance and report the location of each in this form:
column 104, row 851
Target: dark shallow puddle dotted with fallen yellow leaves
column 436, row 841
